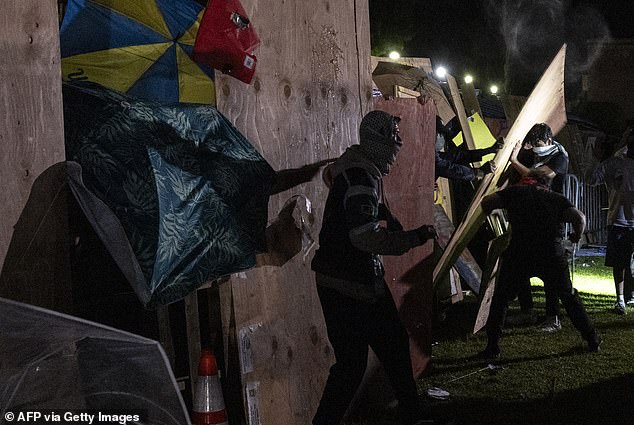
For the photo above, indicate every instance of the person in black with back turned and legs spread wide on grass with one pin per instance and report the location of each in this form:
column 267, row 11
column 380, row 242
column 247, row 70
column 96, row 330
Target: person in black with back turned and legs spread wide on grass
column 535, row 249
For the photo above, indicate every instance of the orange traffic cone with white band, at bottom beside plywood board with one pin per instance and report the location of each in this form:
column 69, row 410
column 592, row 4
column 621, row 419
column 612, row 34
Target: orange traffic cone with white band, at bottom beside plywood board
column 209, row 405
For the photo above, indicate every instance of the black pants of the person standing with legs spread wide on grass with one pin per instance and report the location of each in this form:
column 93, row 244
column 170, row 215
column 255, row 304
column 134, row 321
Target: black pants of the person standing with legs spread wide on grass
column 553, row 270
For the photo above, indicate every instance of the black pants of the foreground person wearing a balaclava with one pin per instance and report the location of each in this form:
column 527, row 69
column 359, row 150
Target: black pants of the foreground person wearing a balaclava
column 353, row 326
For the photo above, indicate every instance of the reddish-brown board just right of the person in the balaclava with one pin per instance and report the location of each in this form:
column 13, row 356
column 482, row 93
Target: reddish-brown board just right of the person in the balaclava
column 409, row 189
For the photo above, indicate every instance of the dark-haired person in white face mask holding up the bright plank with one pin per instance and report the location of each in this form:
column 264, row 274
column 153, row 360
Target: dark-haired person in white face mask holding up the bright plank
column 539, row 151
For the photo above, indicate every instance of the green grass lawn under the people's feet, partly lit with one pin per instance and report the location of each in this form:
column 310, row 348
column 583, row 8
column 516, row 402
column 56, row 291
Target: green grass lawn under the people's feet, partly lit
column 541, row 378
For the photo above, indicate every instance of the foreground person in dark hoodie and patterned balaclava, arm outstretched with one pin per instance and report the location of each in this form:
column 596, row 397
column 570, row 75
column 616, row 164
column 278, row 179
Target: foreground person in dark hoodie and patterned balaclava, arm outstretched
column 358, row 309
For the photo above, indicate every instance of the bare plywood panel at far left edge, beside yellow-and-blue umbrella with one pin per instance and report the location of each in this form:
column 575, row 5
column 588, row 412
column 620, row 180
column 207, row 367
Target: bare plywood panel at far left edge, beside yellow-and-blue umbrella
column 31, row 126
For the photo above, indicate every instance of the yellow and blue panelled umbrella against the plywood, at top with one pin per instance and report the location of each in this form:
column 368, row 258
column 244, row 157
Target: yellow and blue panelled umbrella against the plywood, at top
column 139, row 47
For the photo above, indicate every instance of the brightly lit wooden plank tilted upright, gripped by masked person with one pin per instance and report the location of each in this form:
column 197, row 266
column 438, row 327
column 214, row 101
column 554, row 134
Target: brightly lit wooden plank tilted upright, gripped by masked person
column 545, row 104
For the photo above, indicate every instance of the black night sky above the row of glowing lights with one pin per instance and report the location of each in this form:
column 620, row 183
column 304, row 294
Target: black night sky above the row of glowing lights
column 481, row 37
